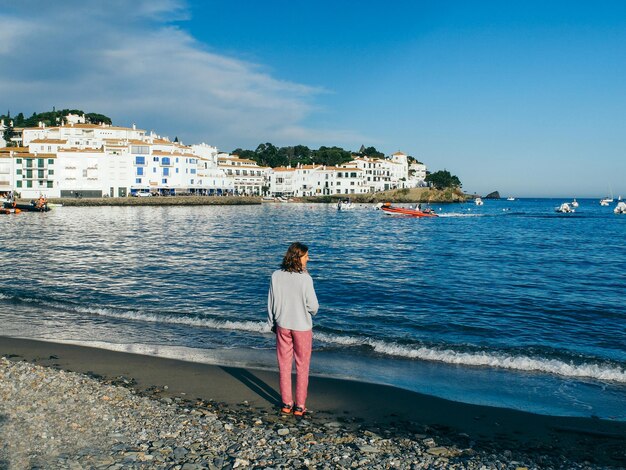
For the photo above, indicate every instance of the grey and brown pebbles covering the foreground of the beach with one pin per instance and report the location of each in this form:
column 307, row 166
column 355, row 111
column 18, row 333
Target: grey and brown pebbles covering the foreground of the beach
column 51, row 418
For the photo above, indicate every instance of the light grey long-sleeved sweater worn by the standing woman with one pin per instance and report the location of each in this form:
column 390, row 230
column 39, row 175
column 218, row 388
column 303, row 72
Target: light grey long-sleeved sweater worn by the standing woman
column 291, row 301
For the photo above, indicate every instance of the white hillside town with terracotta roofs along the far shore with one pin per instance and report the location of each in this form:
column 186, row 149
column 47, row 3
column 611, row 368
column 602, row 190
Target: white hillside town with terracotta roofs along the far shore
column 79, row 159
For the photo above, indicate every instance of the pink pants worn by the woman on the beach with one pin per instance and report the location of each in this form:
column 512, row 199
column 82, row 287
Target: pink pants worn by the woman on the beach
column 290, row 343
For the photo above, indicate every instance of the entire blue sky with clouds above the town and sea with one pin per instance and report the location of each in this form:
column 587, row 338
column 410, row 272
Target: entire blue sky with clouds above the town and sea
column 527, row 98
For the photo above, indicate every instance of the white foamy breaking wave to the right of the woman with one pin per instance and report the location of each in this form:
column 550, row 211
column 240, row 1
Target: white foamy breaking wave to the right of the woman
column 484, row 359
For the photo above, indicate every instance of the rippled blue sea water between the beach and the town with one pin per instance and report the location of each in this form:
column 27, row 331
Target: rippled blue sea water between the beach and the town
column 508, row 304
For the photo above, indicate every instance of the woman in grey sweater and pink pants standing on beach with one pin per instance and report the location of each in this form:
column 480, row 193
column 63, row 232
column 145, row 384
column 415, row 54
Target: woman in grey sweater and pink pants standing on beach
column 290, row 304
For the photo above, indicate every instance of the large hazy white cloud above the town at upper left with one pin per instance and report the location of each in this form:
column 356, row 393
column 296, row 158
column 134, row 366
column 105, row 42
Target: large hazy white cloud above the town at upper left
column 125, row 60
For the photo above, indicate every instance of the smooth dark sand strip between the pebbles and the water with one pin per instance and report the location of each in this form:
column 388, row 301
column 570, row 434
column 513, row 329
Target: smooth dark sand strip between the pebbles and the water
column 369, row 407
